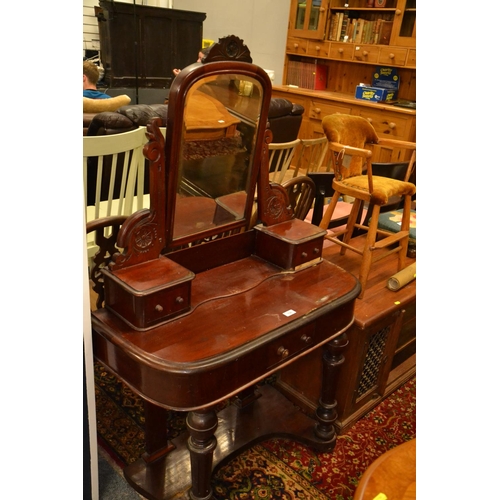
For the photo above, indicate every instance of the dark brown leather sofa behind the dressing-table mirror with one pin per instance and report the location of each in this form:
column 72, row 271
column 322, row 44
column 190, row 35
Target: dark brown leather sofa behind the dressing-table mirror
column 284, row 118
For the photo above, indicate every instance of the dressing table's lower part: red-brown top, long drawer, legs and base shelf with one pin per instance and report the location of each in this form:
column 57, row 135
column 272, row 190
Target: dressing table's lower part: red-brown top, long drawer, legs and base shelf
column 248, row 319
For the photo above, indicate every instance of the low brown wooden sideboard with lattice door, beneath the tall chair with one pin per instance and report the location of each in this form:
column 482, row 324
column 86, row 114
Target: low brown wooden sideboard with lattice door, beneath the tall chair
column 380, row 356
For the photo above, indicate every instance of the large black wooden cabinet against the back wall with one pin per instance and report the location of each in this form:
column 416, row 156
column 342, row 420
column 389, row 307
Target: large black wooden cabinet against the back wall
column 141, row 45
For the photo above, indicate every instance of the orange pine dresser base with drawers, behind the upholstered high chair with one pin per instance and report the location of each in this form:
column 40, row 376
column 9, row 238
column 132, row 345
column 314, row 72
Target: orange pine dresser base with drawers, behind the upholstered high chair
column 387, row 119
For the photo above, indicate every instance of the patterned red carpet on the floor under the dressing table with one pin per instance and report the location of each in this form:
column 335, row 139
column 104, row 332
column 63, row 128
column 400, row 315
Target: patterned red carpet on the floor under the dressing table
column 276, row 468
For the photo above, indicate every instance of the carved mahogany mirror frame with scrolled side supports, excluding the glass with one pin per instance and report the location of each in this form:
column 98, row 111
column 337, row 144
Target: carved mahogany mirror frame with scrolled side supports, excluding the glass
column 148, row 233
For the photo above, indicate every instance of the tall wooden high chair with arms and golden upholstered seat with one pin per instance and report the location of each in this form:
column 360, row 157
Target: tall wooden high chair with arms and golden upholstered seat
column 349, row 139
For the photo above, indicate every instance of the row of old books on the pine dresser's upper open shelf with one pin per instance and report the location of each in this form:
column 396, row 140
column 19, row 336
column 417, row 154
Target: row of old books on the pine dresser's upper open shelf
column 374, row 31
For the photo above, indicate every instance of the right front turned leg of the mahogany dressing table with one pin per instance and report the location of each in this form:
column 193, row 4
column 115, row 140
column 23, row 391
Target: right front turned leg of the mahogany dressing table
column 326, row 413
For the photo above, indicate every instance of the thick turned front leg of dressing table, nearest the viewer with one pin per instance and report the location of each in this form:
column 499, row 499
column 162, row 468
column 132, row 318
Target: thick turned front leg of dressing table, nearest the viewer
column 201, row 443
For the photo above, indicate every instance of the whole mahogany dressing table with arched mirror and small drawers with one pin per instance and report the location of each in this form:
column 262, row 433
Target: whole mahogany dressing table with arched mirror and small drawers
column 199, row 306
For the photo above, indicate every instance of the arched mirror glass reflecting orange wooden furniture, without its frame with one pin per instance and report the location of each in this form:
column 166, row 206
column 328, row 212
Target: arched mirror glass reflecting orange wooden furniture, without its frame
column 221, row 118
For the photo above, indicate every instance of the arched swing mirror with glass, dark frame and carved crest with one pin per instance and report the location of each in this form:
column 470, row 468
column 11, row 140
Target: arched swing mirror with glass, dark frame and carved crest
column 215, row 134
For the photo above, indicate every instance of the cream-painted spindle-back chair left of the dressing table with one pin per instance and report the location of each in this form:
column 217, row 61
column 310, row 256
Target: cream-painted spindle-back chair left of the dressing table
column 113, row 175
